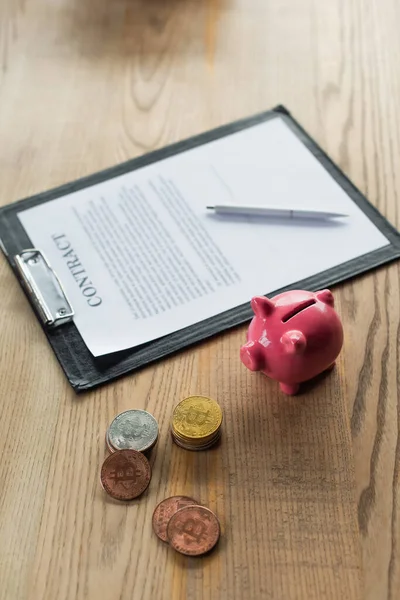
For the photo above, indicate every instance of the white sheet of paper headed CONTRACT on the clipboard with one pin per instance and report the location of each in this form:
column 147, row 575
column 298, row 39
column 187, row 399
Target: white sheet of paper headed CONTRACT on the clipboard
column 140, row 256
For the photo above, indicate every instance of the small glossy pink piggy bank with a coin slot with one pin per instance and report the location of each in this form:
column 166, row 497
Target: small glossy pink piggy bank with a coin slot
column 293, row 337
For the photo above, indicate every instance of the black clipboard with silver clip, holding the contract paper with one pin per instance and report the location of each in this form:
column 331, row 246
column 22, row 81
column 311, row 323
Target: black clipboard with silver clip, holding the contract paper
column 49, row 302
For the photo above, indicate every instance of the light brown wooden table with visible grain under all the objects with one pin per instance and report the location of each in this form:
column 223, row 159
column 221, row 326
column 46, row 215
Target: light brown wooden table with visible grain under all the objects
column 307, row 489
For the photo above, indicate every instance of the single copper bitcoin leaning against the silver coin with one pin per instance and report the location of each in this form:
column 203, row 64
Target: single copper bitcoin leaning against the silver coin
column 125, row 474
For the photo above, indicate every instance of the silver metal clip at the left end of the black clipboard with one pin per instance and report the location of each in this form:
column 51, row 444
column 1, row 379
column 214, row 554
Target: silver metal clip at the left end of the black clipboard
column 44, row 288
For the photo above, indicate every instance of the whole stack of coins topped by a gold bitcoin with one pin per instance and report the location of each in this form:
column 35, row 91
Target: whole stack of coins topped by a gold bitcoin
column 196, row 423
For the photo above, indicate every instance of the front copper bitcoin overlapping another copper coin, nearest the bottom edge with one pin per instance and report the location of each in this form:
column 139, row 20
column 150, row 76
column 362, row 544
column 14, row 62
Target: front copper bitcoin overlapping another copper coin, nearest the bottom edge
column 193, row 530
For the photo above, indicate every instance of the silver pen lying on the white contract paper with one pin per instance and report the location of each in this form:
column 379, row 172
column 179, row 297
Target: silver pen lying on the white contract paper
column 265, row 211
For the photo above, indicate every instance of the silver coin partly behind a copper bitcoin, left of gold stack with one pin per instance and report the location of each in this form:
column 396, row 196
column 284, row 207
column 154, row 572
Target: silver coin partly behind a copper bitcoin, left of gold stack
column 133, row 430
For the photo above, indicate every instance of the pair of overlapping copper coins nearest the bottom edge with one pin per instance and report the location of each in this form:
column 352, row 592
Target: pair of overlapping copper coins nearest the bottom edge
column 188, row 527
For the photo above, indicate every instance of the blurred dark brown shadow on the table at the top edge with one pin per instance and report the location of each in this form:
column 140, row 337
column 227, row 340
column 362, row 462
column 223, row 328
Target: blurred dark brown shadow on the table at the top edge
column 127, row 28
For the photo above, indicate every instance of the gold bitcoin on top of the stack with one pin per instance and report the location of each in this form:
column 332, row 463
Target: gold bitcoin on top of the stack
column 196, row 417
